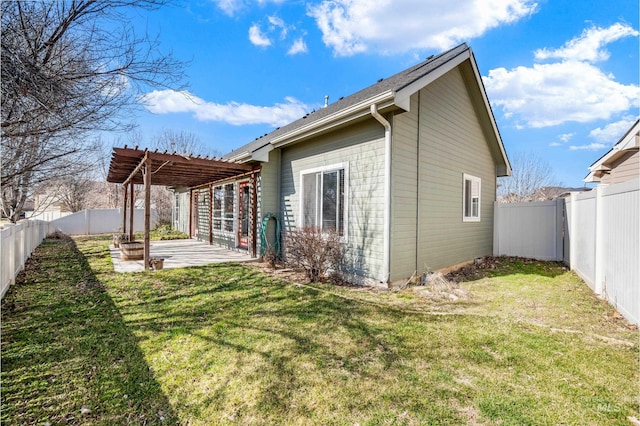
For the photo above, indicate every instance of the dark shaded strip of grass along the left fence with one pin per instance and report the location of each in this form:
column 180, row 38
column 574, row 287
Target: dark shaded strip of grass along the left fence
column 67, row 355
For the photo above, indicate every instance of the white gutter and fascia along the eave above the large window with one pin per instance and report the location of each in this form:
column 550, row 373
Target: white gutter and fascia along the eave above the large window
column 340, row 117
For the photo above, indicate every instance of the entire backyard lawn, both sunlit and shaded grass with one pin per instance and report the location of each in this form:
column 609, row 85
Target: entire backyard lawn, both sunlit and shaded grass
column 229, row 344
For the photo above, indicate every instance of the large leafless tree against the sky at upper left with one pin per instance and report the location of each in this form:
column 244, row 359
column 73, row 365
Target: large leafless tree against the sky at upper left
column 69, row 68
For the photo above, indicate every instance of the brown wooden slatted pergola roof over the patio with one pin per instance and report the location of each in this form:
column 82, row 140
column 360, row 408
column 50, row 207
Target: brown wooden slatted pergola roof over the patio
column 170, row 169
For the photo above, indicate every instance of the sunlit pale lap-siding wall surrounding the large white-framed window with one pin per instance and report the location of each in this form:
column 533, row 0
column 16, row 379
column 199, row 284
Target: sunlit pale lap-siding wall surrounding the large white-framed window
column 361, row 146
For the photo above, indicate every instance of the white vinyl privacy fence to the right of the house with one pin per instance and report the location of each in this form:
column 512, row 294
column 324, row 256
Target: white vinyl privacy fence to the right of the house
column 597, row 233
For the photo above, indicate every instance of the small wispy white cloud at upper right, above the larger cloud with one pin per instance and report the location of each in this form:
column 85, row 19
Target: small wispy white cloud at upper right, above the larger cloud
column 589, row 46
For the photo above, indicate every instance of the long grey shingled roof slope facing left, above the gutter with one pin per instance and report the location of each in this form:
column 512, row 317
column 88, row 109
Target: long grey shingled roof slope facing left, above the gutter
column 390, row 85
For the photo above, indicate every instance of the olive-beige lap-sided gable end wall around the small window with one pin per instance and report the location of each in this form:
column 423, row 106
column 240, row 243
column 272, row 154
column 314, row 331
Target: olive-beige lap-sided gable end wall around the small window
column 451, row 142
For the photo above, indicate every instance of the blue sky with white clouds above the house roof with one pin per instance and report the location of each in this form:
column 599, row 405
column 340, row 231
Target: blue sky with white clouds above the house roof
column 562, row 75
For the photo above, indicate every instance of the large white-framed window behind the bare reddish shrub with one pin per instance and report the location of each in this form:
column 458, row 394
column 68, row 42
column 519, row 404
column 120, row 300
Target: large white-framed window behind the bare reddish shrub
column 323, row 200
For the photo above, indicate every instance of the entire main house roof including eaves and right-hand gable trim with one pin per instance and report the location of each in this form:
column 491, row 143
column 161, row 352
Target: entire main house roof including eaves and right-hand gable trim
column 390, row 93
